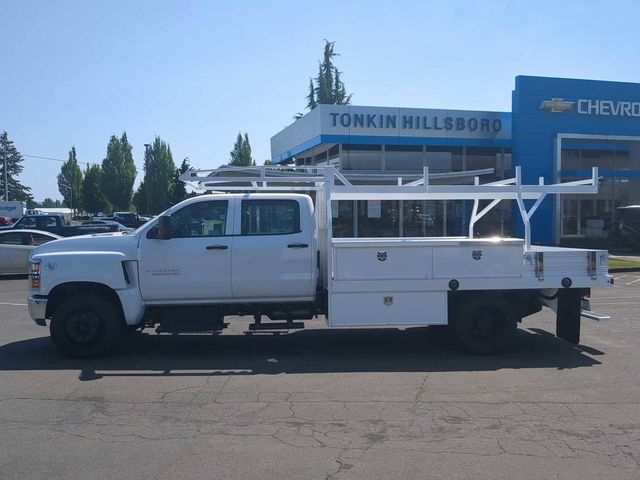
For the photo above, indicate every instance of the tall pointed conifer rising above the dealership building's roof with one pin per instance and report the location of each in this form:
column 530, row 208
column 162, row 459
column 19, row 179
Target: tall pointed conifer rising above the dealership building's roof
column 328, row 88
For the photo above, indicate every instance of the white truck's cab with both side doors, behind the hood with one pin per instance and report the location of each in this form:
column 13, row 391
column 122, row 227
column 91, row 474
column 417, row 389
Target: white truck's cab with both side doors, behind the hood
column 231, row 248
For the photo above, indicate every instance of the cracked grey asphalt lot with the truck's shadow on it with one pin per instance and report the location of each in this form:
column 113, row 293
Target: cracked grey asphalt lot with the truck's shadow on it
column 325, row 404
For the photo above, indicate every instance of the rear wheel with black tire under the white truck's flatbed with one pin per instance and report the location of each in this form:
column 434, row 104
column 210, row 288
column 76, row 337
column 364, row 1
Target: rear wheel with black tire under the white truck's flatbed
column 483, row 325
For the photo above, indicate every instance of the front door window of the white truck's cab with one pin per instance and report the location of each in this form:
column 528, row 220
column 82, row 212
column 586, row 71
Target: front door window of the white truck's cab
column 204, row 219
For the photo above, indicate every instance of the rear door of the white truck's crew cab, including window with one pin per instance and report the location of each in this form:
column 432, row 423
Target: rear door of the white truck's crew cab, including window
column 274, row 254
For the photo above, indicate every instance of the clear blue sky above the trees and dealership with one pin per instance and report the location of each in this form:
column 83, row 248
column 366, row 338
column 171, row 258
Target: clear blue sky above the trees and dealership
column 196, row 73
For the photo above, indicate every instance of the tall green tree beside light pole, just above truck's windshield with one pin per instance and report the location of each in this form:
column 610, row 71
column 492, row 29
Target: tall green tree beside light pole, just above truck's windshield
column 155, row 191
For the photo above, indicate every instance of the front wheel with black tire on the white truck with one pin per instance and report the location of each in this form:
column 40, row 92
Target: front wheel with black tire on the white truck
column 86, row 325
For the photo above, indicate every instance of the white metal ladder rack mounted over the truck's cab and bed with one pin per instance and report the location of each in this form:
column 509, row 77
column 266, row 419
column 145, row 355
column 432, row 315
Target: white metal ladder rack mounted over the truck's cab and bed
column 330, row 184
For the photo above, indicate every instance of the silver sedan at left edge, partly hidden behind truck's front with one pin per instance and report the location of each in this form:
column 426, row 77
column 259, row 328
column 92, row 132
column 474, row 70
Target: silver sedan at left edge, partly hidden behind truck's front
column 15, row 246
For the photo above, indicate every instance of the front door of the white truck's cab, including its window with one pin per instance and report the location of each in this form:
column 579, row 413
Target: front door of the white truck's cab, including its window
column 195, row 264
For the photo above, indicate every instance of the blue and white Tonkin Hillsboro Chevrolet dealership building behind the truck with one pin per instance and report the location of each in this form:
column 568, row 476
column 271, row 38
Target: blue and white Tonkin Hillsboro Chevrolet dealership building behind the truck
column 557, row 129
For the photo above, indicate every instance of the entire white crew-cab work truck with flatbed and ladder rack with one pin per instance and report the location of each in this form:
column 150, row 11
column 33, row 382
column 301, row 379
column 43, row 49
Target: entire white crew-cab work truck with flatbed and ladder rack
column 272, row 254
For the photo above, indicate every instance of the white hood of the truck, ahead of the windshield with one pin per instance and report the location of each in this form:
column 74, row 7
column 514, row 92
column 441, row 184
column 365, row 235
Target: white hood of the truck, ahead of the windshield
column 97, row 242
